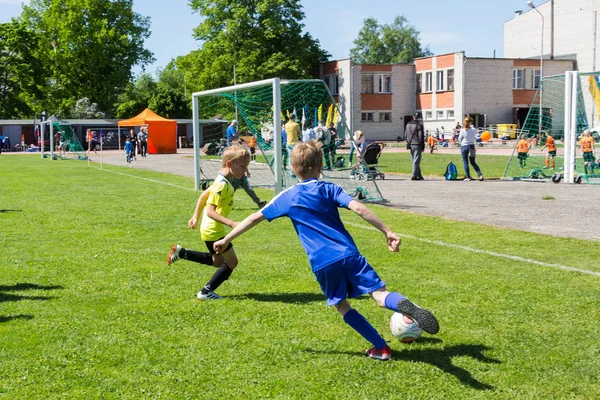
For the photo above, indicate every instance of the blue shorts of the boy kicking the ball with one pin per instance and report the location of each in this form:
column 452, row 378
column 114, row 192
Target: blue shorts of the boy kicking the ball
column 348, row 278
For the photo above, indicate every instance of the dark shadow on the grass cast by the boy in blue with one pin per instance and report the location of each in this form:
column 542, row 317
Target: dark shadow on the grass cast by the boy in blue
column 440, row 358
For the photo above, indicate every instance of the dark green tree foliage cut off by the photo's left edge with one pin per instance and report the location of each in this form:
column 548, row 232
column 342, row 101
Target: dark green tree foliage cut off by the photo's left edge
column 21, row 73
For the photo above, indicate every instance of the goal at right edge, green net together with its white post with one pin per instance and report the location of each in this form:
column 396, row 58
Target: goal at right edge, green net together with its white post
column 570, row 105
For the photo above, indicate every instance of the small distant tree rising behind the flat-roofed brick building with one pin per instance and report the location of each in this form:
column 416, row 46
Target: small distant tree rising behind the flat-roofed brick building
column 395, row 43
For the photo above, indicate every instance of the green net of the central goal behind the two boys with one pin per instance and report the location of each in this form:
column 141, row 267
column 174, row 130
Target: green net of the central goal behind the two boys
column 313, row 108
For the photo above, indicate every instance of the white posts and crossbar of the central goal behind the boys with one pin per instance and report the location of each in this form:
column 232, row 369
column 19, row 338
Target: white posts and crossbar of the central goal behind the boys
column 277, row 142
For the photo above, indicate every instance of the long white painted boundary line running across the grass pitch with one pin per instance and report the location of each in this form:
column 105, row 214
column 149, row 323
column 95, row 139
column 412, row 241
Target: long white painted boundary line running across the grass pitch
column 429, row 241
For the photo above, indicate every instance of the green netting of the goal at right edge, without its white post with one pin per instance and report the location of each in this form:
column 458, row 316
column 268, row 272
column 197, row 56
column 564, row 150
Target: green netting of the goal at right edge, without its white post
column 537, row 163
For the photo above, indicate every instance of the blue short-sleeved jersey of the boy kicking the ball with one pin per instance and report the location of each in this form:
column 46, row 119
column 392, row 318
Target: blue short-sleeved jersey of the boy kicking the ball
column 312, row 206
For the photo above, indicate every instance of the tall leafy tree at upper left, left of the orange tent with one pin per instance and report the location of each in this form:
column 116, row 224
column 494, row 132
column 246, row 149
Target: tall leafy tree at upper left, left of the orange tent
column 89, row 45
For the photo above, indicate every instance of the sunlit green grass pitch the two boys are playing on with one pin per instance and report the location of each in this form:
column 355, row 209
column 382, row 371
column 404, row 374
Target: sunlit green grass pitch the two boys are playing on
column 89, row 308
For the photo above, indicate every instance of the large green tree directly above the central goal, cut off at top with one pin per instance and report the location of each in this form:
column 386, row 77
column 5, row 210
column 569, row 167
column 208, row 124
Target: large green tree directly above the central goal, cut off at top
column 262, row 38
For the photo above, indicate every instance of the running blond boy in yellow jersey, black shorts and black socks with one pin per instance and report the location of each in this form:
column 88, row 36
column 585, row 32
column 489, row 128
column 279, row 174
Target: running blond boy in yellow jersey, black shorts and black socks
column 219, row 201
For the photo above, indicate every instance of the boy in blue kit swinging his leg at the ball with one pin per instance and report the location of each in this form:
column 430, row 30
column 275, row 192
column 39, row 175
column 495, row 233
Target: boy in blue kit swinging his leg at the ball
column 342, row 272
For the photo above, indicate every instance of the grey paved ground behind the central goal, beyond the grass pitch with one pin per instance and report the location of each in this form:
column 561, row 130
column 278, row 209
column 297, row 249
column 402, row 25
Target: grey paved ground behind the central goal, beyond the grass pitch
column 572, row 211
